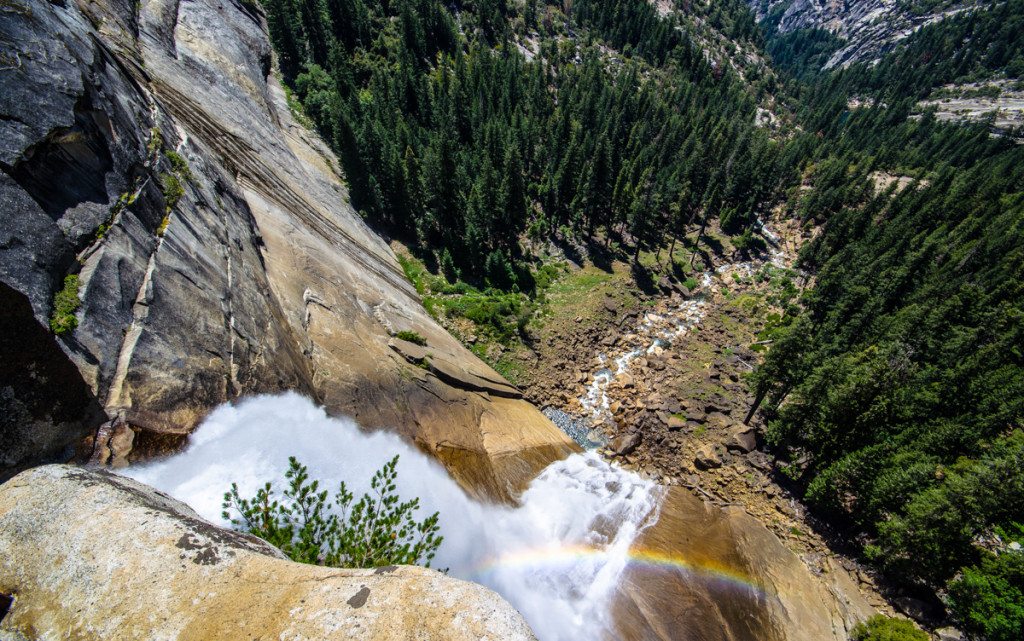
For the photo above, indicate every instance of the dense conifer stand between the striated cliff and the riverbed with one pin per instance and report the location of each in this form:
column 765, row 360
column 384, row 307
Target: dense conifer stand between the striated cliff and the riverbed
column 455, row 135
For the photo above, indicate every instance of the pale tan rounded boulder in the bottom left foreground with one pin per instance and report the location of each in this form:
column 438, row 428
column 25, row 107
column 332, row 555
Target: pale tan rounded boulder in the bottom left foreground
column 92, row 555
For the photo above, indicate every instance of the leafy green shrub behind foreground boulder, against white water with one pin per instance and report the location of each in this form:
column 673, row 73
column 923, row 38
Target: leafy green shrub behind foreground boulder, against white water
column 376, row 531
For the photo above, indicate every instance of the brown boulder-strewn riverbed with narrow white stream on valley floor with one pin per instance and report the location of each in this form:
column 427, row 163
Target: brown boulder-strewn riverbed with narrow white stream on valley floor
column 658, row 381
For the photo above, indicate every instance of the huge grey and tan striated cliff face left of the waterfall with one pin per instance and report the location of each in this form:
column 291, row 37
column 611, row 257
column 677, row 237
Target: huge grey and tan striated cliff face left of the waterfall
column 257, row 277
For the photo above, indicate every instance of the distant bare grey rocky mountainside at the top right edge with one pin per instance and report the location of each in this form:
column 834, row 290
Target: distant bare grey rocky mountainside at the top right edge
column 872, row 28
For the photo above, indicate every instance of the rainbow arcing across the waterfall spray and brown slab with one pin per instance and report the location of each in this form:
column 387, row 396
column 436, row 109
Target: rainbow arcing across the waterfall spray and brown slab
column 566, row 557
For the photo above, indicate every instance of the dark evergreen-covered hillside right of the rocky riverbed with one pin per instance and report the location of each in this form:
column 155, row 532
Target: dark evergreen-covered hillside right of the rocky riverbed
column 899, row 393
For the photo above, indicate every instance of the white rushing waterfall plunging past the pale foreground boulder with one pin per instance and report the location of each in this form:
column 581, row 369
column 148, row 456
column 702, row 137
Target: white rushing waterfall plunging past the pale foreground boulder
column 558, row 559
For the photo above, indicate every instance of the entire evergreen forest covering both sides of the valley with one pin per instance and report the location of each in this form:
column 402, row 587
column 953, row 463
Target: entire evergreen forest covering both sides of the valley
column 895, row 390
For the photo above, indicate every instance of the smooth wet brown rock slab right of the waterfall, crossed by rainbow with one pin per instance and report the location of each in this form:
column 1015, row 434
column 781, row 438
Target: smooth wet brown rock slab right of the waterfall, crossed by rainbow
column 719, row 574
